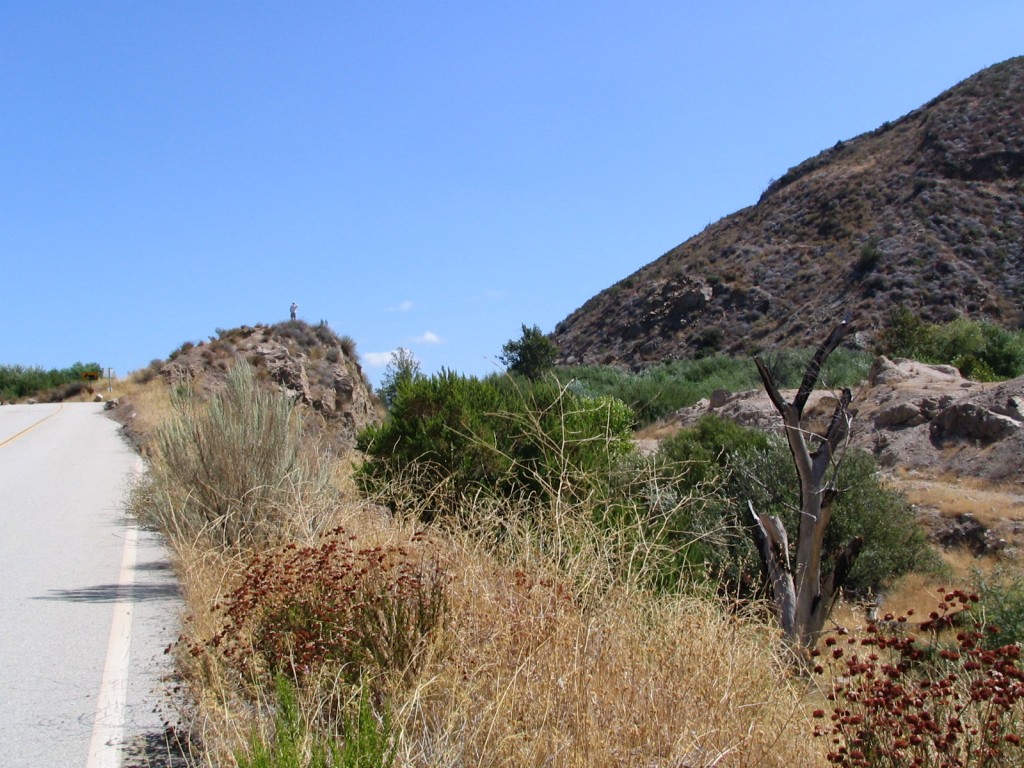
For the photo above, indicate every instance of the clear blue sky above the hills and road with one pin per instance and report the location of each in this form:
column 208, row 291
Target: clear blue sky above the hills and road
column 420, row 175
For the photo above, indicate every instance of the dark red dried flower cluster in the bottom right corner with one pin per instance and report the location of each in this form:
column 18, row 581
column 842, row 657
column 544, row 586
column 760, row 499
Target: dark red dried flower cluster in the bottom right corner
column 940, row 700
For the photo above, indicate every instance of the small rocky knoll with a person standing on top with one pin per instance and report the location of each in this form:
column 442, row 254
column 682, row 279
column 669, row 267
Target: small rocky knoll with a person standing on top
column 311, row 364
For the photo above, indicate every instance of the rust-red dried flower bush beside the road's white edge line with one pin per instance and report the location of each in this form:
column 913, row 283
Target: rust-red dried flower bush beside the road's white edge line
column 366, row 611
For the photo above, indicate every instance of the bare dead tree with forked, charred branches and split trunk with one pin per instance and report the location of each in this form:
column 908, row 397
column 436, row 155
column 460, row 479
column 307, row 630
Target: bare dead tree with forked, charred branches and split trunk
column 803, row 596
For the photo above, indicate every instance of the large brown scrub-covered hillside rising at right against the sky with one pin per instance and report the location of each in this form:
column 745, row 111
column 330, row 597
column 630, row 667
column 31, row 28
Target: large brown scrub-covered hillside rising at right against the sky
column 927, row 211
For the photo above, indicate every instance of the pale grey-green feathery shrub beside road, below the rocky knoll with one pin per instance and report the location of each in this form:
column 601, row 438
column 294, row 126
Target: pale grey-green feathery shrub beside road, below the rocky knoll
column 233, row 467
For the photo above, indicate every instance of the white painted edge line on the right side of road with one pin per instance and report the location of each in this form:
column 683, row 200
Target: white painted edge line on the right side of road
column 108, row 730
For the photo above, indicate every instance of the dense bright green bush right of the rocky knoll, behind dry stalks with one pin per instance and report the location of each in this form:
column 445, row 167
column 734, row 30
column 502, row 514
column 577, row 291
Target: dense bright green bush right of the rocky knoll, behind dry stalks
column 450, row 438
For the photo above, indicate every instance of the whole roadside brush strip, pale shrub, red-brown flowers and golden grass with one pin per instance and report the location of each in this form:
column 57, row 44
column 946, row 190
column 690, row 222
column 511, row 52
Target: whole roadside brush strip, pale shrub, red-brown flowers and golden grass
column 521, row 632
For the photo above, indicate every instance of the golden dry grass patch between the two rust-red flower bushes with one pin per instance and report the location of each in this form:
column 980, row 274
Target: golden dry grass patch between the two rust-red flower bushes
column 535, row 676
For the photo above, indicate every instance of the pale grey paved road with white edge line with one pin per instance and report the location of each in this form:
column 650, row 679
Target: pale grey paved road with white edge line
column 88, row 602
